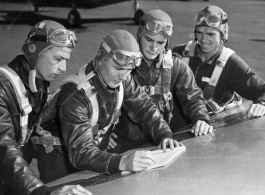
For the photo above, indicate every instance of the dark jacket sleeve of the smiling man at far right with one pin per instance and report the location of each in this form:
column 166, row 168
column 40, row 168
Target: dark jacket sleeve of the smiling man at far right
column 244, row 81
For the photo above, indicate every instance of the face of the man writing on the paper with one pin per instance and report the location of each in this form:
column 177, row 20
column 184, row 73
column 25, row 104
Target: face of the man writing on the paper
column 113, row 74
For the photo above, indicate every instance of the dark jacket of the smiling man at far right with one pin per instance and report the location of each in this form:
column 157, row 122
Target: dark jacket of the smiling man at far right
column 236, row 76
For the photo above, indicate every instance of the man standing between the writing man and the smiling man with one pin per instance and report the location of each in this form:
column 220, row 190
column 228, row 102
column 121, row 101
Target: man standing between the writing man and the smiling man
column 162, row 78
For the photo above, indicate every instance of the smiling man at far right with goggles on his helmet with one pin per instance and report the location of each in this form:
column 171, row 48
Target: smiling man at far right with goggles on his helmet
column 211, row 61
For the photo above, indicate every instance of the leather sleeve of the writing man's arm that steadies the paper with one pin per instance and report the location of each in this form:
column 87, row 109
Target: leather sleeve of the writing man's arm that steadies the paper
column 140, row 108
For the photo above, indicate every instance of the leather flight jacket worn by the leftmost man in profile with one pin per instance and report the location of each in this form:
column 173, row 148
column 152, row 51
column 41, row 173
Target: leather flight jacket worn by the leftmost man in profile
column 14, row 163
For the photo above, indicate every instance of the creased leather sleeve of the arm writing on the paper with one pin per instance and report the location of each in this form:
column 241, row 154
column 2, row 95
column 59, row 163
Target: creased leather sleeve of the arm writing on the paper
column 74, row 116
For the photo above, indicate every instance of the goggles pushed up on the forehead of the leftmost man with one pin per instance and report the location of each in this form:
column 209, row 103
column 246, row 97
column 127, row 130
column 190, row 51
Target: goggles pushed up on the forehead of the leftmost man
column 63, row 37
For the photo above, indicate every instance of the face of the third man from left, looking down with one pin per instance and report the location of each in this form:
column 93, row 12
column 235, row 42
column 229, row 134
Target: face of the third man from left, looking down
column 152, row 45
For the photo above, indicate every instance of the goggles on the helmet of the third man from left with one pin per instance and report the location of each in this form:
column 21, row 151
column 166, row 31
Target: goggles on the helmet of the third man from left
column 154, row 27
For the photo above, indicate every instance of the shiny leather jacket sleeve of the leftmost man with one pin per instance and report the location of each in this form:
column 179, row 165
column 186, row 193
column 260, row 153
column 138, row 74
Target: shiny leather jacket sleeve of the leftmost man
column 14, row 170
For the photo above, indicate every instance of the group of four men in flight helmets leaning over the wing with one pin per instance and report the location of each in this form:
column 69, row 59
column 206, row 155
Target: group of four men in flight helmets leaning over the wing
column 122, row 99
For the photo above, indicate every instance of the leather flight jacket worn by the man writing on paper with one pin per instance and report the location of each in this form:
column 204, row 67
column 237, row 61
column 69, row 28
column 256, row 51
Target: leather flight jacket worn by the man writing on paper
column 74, row 117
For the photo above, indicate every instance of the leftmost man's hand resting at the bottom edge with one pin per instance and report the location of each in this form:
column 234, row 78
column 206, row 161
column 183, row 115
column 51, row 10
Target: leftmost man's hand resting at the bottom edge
column 71, row 189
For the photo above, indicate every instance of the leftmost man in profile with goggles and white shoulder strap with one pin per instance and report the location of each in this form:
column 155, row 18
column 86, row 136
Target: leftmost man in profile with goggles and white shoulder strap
column 24, row 92
